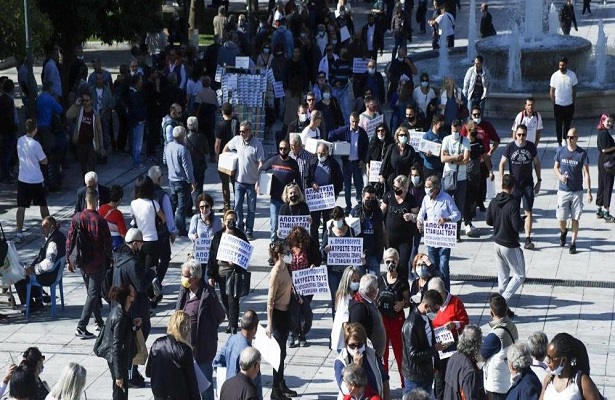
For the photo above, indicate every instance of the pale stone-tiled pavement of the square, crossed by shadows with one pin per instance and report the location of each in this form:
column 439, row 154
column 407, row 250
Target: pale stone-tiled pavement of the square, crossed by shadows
column 563, row 292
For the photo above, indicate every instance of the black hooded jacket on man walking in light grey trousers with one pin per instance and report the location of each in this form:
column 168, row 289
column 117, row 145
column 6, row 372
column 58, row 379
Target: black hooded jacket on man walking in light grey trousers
column 503, row 214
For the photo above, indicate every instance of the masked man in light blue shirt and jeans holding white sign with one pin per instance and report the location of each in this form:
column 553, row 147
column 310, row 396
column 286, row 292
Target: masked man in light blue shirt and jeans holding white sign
column 439, row 207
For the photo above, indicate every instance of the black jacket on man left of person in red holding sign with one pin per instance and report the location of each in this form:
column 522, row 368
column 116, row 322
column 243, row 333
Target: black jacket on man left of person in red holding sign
column 418, row 355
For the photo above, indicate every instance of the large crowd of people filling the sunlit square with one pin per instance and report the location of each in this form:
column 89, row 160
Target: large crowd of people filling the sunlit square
column 408, row 307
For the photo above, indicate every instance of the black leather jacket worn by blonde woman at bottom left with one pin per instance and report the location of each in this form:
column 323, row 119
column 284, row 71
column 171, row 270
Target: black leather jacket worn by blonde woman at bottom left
column 170, row 366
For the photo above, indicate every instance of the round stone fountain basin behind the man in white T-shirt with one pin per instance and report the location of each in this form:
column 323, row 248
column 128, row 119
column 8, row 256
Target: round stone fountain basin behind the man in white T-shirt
column 539, row 58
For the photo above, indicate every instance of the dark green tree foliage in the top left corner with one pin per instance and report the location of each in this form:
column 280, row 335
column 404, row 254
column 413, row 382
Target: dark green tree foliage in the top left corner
column 12, row 29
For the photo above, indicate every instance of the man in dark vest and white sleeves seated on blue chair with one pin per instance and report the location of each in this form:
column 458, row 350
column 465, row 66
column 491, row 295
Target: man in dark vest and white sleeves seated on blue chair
column 52, row 250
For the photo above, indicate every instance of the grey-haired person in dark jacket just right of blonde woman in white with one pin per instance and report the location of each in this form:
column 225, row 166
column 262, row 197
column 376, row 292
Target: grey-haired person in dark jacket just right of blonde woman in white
column 364, row 310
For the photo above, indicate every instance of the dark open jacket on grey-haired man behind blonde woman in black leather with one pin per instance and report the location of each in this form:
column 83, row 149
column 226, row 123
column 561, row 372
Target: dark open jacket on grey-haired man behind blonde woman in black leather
column 210, row 316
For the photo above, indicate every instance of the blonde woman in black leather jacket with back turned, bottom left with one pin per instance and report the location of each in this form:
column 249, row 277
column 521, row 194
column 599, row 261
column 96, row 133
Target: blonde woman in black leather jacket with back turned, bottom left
column 170, row 364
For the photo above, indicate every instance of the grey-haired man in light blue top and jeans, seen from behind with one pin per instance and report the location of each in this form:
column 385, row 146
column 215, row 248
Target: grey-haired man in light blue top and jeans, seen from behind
column 181, row 177
